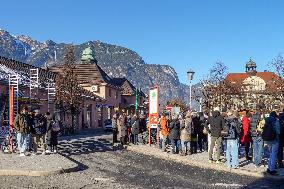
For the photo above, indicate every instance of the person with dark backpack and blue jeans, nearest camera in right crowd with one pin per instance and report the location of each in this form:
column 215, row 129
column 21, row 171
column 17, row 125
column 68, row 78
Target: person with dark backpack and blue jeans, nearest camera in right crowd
column 270, row 135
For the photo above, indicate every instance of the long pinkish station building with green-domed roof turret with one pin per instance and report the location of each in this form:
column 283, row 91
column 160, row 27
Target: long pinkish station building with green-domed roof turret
column 103, row 95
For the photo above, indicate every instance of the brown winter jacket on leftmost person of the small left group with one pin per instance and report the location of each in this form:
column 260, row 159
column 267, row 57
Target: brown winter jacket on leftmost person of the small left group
column 22, row 123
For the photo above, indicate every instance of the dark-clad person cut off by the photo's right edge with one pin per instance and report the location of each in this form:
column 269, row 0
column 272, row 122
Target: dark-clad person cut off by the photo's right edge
column 281, row 141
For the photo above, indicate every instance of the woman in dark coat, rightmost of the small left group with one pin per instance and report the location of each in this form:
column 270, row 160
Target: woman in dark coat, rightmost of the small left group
column 51, row 136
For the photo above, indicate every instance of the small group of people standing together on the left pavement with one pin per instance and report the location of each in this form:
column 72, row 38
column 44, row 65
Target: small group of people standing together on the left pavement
column 36, row 131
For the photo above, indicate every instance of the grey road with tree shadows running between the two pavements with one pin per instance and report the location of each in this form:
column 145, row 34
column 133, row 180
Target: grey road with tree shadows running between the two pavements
column 102, row 166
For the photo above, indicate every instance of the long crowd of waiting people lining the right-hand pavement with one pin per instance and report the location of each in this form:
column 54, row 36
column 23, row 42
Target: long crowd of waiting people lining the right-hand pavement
column 225, row 131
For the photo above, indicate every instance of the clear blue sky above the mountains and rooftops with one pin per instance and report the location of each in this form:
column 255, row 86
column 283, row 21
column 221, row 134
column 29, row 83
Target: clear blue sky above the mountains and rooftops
column 182, row 33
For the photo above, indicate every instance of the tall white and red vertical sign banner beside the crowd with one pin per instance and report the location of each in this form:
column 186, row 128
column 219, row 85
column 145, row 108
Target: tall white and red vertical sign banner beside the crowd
column 154, row 102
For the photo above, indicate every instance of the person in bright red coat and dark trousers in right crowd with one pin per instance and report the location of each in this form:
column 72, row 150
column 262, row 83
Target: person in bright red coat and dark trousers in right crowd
column 246, row 135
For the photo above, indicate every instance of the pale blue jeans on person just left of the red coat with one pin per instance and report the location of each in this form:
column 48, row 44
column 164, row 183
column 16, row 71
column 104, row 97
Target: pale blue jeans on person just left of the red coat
column 232, row 153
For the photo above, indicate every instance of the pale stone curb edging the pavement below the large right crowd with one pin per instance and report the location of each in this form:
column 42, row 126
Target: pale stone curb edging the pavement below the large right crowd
column 240, row 171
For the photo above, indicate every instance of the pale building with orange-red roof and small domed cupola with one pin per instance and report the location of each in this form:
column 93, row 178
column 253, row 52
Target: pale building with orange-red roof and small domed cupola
column 254, row 90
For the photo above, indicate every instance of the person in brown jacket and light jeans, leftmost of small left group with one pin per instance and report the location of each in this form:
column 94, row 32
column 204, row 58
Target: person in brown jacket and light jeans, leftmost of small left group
column 22, row 127
